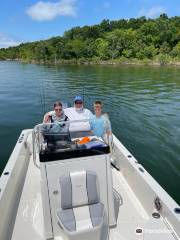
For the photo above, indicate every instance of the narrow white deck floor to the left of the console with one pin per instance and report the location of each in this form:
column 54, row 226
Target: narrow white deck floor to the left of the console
column 29, row 220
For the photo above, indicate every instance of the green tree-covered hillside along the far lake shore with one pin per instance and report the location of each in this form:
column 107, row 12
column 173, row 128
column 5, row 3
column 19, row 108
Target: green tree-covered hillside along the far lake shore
column 132, row 41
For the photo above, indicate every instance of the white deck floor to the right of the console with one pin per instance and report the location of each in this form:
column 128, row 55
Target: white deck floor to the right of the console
column 132, row 215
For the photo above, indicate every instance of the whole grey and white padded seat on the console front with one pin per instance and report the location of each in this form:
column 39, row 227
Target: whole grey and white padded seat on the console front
column 82, row 214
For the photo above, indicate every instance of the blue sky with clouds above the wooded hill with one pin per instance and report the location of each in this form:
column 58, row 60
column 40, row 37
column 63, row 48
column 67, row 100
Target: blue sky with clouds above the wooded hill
column 31, row 20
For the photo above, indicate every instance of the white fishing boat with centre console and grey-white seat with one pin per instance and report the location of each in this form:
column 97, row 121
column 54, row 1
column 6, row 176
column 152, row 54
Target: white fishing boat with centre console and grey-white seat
column 58, row 186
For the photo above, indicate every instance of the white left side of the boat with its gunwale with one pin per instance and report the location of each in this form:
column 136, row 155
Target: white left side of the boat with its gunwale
column 11, row 184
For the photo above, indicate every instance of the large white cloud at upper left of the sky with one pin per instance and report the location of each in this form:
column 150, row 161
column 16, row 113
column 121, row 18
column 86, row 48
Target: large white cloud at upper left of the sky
column 46, row 11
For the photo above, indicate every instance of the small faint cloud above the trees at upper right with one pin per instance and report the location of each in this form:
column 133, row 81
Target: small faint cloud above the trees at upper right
column 152, row 12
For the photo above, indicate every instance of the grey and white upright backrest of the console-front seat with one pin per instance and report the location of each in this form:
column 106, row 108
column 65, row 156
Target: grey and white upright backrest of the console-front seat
column 78, row 189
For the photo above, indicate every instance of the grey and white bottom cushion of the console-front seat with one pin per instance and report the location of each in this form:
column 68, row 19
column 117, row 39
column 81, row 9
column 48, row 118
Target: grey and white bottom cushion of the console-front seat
column 81, row 218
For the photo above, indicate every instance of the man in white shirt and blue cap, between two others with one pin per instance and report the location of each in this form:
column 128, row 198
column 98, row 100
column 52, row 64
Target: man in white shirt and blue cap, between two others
column 78, row 113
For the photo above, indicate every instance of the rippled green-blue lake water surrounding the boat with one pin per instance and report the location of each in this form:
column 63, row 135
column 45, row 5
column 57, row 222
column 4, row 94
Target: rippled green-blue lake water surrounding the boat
column 143, row 104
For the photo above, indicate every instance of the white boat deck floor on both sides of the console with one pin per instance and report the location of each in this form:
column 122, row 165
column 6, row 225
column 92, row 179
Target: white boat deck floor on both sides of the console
column 129, row 212
